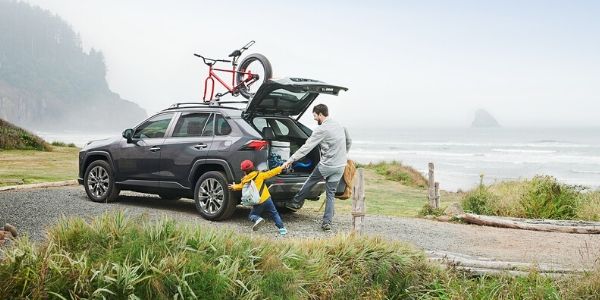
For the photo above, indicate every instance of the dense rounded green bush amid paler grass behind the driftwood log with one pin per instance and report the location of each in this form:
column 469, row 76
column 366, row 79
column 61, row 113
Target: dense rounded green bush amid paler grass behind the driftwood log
column 546, row 198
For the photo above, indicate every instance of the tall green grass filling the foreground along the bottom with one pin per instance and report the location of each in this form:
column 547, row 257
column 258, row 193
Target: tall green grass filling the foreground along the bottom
column 116, row 257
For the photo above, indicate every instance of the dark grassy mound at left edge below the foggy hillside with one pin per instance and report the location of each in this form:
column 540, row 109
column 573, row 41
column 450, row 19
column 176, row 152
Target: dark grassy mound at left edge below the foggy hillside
column 13, row 137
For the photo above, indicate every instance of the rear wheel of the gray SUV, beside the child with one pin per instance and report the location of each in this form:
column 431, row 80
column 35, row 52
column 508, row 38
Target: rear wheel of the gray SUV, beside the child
column 213, row 199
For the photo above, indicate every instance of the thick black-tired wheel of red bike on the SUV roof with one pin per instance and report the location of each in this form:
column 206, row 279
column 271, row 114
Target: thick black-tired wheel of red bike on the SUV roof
column 257, row 64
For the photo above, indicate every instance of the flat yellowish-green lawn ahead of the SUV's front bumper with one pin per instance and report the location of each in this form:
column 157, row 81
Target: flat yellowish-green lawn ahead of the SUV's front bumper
column 31, row 166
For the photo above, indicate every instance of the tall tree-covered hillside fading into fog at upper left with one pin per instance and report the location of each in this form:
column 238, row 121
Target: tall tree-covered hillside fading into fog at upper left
column 47, row 80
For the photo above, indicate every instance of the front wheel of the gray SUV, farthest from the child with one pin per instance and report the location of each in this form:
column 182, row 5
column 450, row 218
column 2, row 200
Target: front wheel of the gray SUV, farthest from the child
column 99, row 182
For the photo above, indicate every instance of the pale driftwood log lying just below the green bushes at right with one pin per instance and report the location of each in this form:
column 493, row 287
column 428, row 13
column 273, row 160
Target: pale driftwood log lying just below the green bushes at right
column 536, row 225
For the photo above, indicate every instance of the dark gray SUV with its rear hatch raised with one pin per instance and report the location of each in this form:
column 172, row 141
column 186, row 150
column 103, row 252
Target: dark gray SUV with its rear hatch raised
column 194, row 150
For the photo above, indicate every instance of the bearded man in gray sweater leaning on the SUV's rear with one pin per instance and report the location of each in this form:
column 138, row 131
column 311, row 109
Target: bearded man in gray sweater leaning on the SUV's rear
column 334, row 141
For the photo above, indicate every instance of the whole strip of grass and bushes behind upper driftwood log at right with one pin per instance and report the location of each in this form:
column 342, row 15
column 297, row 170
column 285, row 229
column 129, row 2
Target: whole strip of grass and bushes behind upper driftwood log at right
column 540, row 197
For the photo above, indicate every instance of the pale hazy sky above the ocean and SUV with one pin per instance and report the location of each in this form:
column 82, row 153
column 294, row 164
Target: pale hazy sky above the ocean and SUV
column 406, row 63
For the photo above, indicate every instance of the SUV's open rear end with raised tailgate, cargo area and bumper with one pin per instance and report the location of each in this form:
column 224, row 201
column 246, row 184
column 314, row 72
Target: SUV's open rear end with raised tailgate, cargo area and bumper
column 274, row 111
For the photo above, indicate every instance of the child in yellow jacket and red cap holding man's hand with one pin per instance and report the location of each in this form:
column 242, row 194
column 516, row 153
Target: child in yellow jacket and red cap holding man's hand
column 265, row 203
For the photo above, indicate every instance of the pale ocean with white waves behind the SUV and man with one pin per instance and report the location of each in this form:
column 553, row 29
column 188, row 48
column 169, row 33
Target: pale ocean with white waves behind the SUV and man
column 460, row 155
